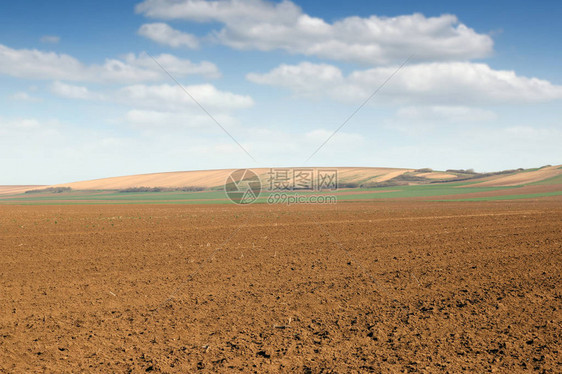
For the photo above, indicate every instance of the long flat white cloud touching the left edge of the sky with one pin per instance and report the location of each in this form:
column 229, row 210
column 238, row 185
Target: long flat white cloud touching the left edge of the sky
column 35, row 64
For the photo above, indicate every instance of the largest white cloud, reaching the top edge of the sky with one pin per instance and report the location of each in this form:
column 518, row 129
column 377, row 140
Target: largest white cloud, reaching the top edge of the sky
column 265, row 25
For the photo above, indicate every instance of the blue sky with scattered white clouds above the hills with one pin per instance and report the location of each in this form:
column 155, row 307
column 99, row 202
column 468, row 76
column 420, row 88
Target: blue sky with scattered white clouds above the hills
column 81, row 98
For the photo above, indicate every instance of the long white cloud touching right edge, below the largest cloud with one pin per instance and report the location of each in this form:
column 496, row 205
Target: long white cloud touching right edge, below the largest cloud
column 445, row 83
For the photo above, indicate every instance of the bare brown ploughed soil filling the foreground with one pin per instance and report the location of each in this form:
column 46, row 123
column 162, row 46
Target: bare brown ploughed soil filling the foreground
column 358, row 287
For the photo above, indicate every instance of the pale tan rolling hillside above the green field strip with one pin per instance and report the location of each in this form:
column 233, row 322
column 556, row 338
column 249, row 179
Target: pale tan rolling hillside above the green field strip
column 348, row 177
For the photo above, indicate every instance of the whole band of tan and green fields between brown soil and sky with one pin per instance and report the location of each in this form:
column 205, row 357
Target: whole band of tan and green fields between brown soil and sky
column 355, row 184
